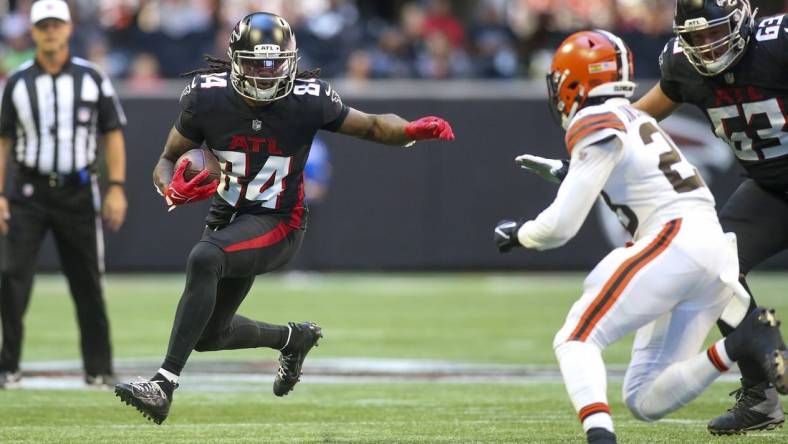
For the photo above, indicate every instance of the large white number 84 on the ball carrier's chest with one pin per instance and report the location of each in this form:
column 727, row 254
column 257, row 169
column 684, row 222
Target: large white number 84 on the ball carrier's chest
column 266, row 185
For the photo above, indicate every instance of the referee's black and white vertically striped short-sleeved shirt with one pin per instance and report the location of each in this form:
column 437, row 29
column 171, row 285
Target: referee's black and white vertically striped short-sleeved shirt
column 53, row 120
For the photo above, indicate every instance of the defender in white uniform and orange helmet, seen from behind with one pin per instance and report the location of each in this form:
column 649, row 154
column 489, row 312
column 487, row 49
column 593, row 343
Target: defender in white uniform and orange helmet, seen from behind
column 676, row 279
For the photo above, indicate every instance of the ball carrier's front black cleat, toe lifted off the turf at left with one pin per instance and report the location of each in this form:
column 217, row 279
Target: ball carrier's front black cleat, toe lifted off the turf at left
column 152, row 398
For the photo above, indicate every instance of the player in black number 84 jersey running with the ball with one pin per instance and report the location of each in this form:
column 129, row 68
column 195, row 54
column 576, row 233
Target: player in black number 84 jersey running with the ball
column 258, row 115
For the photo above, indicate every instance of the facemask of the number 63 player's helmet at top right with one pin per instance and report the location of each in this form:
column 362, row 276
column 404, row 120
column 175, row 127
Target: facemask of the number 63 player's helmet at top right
column 712, row 46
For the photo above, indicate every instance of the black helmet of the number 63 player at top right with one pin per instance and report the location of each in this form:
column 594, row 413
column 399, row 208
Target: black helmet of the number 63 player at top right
column 713, row 33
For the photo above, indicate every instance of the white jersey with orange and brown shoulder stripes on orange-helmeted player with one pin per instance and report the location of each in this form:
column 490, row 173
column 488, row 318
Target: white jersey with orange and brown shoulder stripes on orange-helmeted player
column 652, row 182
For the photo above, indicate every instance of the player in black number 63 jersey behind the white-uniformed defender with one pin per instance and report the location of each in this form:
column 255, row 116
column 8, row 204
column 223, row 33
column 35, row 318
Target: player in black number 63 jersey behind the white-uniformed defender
column 734, row 68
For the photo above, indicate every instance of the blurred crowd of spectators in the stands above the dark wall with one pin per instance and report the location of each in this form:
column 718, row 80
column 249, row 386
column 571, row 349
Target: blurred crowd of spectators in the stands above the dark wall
column 146, row 41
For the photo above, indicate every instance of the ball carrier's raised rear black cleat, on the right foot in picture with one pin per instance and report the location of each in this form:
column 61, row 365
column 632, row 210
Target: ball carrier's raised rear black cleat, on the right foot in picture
column 303, row 337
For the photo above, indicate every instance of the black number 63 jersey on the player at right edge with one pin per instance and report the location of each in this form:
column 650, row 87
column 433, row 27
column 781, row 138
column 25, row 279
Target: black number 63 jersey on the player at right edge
column 746, row 105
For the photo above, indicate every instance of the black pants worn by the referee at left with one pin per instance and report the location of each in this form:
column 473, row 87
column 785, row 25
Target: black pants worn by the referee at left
column 70, row 210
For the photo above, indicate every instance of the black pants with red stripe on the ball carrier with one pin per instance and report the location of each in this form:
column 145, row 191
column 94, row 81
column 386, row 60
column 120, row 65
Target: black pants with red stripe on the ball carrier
column 220, row 271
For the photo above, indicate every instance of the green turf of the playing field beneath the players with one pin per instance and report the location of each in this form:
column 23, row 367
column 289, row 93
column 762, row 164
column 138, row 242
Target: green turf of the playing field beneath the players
column 465, row 318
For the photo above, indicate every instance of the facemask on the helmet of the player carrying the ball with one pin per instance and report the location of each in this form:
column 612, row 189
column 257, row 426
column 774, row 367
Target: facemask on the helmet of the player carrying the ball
column 265, row 74
